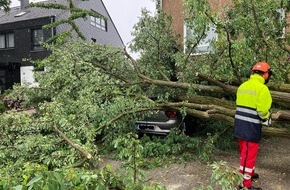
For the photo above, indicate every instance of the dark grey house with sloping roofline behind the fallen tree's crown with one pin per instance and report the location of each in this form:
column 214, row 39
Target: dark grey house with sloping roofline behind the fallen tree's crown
column 21, row 35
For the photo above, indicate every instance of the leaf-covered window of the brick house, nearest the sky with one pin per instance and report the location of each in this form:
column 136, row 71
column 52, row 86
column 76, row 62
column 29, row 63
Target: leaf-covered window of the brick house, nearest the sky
column 204, row 45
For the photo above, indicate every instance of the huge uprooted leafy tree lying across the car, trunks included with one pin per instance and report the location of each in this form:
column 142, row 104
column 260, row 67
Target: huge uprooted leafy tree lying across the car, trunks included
column 89, row 89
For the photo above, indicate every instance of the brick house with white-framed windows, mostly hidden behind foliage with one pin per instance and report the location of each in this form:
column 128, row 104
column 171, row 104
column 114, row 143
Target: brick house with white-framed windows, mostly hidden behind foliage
column 175, row 9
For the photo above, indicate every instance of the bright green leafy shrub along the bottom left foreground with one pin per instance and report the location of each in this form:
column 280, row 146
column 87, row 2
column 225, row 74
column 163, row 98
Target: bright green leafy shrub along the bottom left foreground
column 38, row 177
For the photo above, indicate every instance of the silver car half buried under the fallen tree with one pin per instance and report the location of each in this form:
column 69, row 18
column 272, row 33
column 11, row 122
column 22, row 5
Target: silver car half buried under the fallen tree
column 161, row 122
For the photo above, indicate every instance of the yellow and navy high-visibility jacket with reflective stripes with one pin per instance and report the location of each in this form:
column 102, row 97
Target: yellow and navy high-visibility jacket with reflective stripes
column 253, row 105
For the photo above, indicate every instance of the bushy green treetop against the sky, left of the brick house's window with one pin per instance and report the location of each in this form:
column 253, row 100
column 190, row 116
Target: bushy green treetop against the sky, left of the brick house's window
column 155, row 40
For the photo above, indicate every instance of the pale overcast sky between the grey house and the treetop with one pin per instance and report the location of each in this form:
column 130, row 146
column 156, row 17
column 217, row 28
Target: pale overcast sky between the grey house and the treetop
column 124, row 13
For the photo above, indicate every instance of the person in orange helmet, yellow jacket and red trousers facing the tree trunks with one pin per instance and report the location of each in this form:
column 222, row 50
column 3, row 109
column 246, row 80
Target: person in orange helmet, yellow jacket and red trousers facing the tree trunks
column 253, row 110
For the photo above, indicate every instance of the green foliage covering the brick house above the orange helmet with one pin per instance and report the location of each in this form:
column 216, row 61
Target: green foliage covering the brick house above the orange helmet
column 248, row 31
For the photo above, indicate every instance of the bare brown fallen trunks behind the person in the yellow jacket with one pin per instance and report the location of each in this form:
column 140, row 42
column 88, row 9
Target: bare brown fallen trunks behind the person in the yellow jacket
column 224, row 110
